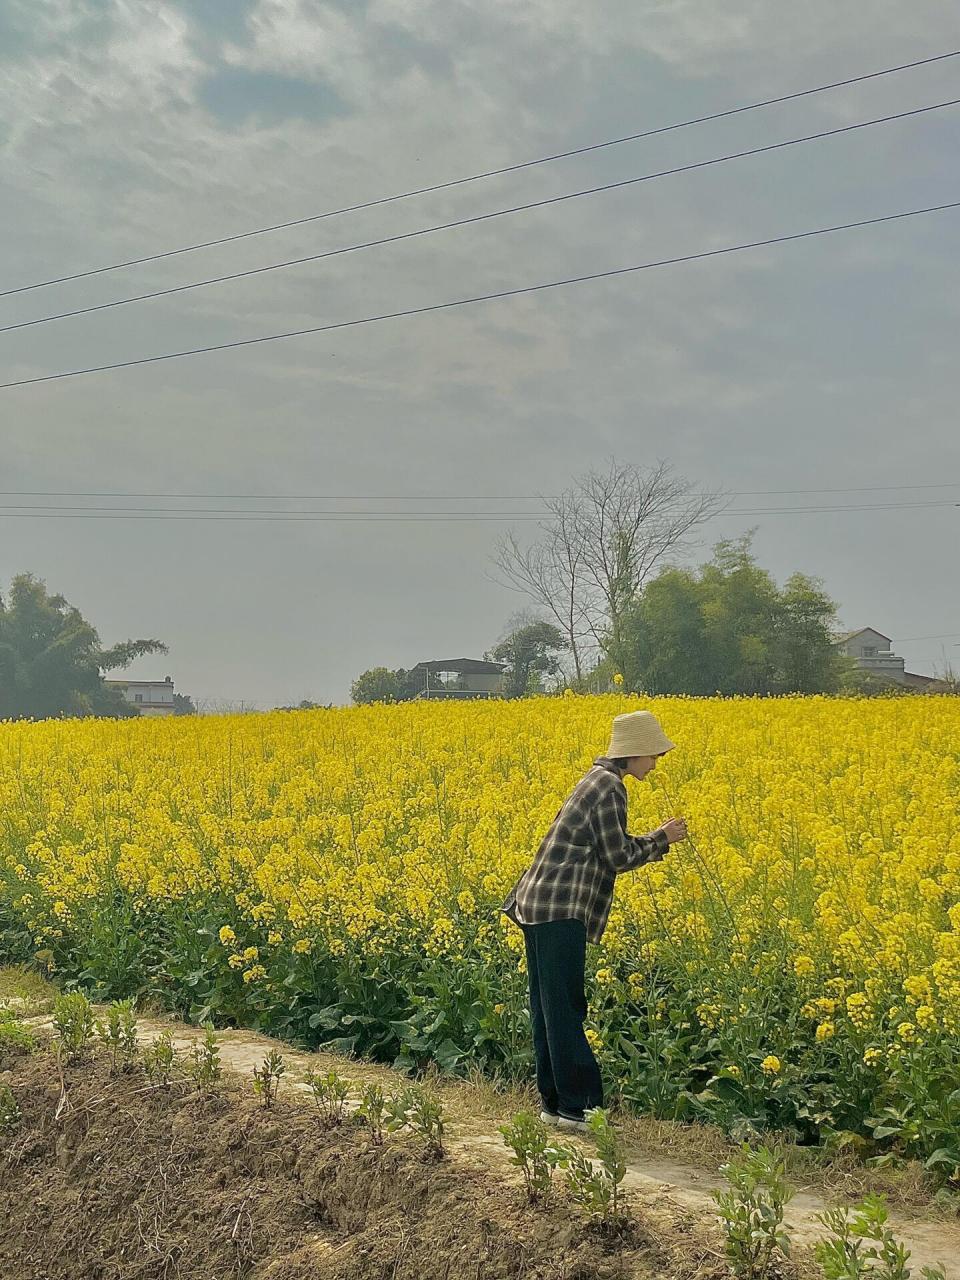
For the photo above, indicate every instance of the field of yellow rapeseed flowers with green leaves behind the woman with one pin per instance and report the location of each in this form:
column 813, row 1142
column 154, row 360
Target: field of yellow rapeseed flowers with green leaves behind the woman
column 335, row 876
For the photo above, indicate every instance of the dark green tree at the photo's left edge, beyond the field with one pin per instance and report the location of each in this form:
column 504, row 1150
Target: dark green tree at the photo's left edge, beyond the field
column 52, row 661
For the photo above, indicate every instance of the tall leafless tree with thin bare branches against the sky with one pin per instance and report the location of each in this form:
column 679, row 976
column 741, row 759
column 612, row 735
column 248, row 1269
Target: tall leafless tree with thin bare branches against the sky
column 600, row 545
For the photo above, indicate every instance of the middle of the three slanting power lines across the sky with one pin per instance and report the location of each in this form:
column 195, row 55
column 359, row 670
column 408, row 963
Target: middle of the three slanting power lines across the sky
column 474, row 220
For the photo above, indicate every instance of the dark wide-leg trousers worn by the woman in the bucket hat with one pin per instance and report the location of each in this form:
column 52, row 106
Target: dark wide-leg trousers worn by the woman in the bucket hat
column 568, row 1075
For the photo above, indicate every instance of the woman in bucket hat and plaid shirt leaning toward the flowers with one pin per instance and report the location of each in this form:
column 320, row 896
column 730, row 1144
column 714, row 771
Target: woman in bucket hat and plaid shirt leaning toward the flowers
column 564, row 900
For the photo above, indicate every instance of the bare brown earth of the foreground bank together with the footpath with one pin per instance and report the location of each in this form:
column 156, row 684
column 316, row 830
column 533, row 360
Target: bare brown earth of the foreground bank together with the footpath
column 108, row 1178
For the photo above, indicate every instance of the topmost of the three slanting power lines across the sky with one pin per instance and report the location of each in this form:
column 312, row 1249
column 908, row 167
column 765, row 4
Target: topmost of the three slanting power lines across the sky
column 488, row 173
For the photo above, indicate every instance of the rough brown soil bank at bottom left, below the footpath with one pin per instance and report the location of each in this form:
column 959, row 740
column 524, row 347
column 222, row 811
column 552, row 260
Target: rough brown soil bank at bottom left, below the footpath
column 108, row 1178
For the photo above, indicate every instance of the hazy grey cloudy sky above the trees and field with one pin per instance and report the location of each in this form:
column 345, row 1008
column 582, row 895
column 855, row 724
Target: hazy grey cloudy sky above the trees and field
column 826, row 364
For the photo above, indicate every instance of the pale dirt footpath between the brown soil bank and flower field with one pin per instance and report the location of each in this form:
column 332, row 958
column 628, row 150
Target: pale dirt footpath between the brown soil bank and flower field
column 678, row 1194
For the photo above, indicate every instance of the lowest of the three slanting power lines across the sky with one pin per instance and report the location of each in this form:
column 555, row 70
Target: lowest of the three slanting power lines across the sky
column 479, row 298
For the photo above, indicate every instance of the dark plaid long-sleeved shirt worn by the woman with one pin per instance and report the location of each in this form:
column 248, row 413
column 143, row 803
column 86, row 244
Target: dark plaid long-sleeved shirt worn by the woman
column 587, row 848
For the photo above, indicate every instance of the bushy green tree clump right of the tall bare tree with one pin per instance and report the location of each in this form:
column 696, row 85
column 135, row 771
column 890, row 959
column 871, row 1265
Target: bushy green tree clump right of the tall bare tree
column 729, row 629
